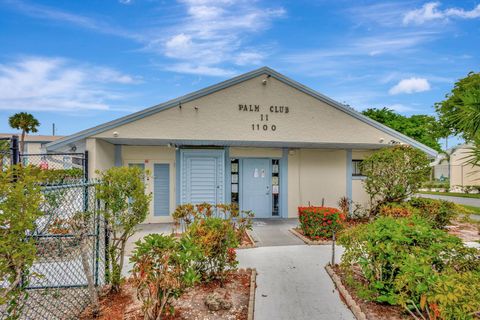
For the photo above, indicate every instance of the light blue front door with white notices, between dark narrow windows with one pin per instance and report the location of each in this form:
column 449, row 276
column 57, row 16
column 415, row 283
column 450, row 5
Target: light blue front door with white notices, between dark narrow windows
column 256, row 187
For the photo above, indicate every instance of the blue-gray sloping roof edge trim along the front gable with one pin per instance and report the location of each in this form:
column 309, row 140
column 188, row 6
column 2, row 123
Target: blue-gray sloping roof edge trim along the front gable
column 225, row 84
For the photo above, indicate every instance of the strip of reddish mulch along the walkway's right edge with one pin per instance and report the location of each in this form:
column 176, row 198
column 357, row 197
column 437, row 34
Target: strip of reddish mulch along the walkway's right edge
column 372, row 310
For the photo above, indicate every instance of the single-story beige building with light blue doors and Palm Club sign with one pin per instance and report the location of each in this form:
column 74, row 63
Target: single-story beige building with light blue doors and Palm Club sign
column 260, row 139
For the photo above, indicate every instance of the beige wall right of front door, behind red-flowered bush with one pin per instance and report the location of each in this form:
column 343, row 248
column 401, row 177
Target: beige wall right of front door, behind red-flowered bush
column 314, row 174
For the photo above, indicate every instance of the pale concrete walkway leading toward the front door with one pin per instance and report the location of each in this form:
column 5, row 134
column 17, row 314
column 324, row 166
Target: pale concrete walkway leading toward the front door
column 292, row 283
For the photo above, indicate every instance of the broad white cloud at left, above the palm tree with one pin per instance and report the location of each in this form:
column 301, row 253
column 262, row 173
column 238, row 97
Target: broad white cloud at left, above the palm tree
column 56, row 84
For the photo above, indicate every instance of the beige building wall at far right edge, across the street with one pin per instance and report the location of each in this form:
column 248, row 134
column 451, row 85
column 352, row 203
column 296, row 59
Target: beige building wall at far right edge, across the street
column 461, row 172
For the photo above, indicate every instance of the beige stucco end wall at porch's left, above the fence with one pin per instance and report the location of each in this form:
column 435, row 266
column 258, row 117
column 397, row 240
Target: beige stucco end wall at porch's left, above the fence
column 101, row 156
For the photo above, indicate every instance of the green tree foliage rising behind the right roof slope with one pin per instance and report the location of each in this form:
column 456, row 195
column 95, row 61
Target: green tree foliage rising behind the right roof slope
column 422, row 128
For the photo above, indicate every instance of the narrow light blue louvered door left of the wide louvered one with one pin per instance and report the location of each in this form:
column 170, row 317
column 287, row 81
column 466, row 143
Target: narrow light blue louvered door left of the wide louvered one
column 161, row 189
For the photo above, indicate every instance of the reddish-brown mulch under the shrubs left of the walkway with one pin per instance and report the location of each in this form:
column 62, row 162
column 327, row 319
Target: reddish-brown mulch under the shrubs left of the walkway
column 125, row 305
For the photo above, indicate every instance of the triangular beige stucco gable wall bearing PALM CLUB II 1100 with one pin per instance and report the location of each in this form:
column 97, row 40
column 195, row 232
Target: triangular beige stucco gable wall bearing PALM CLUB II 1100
column 218, row 118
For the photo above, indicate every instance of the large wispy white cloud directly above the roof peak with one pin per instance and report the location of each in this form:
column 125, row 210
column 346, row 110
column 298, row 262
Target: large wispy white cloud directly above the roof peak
column 213, row 34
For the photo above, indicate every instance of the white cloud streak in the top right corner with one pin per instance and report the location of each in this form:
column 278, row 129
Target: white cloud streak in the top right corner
column 430, row 11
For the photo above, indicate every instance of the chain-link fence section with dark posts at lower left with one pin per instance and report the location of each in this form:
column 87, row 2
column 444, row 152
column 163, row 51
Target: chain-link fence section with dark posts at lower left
column 70, row 241
